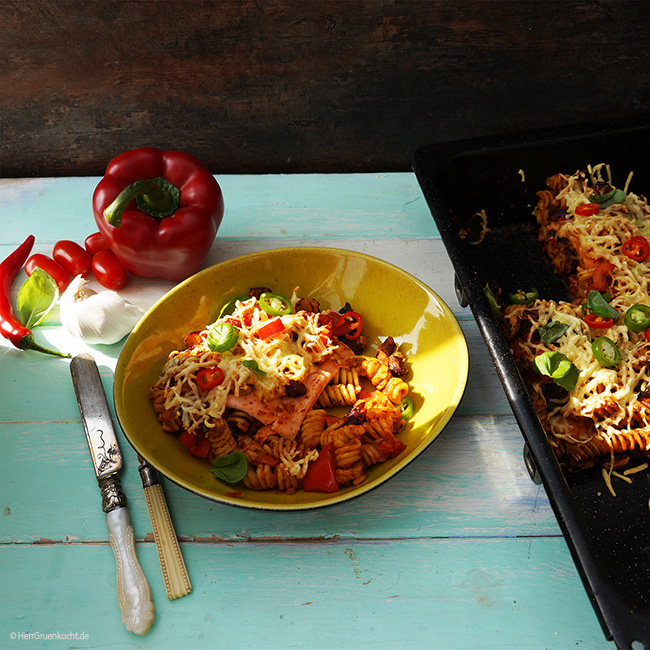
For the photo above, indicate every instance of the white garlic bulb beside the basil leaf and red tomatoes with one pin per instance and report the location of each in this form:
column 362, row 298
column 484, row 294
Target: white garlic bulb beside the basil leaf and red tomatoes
column 103, row 317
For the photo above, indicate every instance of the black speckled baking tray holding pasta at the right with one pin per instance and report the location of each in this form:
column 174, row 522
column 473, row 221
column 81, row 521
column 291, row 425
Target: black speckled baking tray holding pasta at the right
column 609, row 537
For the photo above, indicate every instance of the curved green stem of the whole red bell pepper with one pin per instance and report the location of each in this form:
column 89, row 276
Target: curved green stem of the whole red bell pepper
column 155, row 196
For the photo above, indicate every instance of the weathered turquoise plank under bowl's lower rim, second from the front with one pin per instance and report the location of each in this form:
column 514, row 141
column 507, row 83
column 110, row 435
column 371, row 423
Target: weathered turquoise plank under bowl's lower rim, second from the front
column 46, row 469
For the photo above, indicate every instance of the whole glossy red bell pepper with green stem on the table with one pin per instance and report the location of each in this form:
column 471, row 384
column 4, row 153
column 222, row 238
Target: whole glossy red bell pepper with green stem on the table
column 159, row 211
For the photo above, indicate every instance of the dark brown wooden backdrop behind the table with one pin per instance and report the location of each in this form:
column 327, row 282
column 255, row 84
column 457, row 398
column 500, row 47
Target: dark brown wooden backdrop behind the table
column 304, row 86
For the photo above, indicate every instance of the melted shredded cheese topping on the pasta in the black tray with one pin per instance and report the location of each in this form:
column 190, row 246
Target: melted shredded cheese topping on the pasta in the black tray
column 607, row 396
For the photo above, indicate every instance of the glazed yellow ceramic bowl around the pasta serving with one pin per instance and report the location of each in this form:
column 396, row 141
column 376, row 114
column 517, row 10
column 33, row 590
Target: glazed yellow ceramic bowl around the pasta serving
column 392, row 302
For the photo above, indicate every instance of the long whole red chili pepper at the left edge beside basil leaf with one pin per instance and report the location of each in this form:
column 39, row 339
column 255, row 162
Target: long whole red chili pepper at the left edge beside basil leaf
column 11, row 328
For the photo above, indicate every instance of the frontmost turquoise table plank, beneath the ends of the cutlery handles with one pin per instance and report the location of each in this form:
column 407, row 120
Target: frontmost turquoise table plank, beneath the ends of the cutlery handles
column 463, row 594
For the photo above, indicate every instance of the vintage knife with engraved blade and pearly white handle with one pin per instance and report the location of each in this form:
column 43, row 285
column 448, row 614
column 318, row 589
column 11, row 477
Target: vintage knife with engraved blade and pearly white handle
column 133, row 591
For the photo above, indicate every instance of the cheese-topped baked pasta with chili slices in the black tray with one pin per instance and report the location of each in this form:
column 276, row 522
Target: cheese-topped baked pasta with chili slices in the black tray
column 586, row 363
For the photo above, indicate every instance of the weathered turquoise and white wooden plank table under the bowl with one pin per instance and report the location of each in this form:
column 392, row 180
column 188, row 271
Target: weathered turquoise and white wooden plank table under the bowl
column 460, row 550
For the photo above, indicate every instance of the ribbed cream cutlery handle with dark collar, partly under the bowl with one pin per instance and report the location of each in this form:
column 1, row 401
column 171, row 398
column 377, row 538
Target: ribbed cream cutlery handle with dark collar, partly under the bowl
column 177, row 582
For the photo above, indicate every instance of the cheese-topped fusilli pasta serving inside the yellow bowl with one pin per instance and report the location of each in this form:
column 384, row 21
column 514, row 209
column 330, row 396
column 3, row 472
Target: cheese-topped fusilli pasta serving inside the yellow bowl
column 279, row 394
